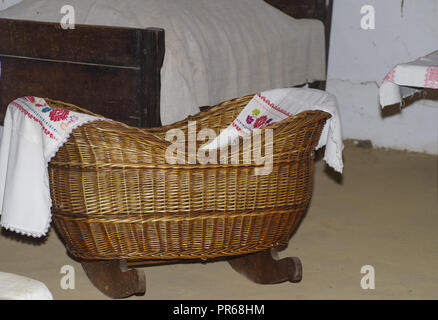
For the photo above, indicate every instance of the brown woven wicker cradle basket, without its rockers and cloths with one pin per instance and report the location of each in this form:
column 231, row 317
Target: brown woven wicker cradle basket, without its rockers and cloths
column 115, row 196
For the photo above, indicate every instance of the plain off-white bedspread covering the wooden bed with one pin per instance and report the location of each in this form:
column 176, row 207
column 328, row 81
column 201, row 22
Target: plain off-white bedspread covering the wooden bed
column 215, row 49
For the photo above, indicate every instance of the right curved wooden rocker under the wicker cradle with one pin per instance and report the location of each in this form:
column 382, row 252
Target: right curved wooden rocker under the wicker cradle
column 262, row 267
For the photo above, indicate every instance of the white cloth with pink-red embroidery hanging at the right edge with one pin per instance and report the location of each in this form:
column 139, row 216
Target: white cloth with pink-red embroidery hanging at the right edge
column 422, row 73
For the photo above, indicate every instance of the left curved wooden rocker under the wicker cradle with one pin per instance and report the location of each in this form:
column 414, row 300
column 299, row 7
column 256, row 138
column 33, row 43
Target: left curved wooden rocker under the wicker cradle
column 114, row 278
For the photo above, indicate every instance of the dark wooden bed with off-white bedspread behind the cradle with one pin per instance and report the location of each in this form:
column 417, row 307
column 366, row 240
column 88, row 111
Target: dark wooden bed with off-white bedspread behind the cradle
column 141, row 70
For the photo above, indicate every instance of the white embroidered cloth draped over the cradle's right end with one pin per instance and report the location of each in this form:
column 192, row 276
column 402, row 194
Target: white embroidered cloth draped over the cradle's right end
column 271, row 106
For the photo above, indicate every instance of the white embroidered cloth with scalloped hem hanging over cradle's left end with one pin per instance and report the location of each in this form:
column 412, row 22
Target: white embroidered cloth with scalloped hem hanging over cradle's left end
column 33, row 133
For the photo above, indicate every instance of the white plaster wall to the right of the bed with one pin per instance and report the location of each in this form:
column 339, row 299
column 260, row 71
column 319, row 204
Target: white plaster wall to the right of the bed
column 359, row 59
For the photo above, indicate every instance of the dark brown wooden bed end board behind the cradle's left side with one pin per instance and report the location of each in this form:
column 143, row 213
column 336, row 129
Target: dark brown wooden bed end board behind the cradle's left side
column 112, row 71
